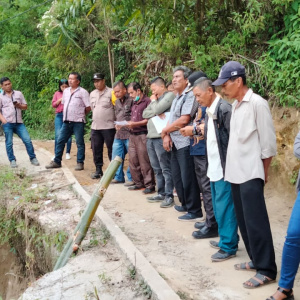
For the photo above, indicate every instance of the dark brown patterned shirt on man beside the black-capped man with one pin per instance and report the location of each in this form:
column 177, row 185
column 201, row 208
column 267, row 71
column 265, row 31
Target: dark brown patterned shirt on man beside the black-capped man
column 123, row 113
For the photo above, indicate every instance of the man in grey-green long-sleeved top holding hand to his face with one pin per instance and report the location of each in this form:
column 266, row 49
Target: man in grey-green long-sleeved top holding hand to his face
column 159, row 158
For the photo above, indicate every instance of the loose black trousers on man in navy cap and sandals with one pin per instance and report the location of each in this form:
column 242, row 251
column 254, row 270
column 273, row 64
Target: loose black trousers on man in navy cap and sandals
column 253, row 221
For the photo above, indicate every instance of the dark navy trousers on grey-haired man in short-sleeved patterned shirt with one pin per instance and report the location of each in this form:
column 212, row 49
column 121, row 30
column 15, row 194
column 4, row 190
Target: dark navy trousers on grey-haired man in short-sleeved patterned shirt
column 184, row 179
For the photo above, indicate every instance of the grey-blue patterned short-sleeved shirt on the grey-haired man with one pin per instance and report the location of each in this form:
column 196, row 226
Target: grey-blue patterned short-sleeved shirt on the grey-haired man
column 178, row 109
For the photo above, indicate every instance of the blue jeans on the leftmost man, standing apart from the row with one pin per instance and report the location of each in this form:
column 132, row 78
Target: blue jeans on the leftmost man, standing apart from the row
column 19, row 129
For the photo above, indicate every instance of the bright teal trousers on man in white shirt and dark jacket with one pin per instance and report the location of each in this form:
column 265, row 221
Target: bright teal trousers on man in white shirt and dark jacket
column 225, row 215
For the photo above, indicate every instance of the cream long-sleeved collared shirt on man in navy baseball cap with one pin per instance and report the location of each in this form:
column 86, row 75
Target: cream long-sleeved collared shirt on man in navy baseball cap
column 252, row 138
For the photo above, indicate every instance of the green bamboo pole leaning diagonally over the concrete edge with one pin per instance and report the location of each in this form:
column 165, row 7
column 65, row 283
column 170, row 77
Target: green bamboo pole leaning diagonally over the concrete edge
column 82, row 227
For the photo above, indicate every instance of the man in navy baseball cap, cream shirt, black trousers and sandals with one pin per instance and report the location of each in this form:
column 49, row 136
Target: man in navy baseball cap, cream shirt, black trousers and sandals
column 252, row 144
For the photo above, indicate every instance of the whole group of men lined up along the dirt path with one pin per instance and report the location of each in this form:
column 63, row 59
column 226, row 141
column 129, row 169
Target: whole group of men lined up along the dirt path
column 206, row 149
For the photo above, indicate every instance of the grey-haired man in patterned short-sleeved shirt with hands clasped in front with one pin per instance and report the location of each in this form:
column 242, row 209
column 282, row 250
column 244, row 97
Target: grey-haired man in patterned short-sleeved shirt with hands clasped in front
column 184, row 108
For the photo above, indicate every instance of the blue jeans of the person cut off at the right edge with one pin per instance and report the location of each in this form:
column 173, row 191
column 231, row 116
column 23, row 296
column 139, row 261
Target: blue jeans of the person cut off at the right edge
column 291, row 249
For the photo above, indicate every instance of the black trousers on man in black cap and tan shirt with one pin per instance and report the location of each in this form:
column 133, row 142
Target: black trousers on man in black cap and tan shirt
column 98, row 138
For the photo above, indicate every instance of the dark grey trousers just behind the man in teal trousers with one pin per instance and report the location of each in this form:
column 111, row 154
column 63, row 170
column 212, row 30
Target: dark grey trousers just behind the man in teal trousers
column 201, row 166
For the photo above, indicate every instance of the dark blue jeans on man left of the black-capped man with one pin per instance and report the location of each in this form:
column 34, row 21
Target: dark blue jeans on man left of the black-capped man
column 66, row 132
